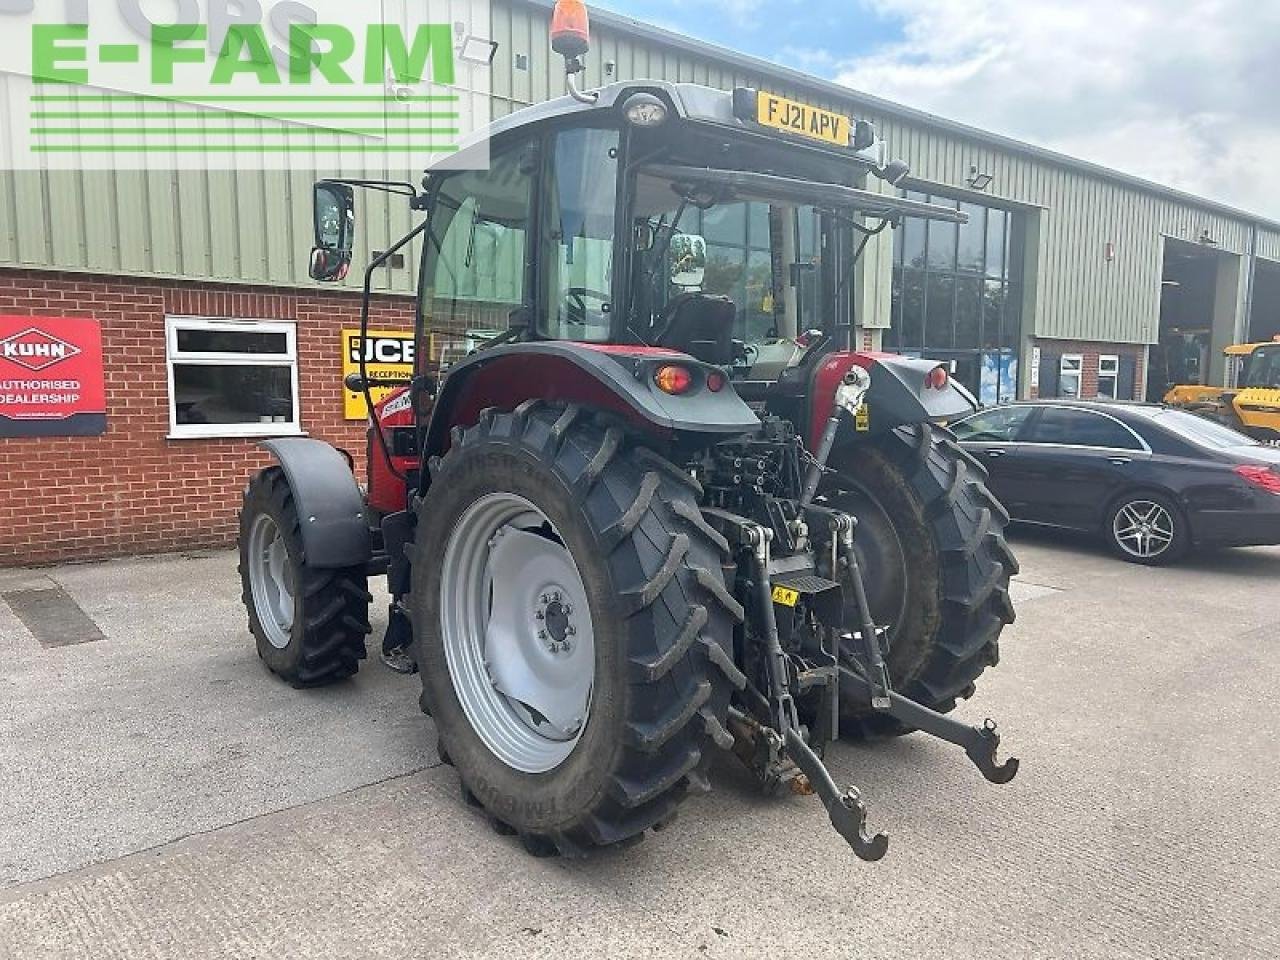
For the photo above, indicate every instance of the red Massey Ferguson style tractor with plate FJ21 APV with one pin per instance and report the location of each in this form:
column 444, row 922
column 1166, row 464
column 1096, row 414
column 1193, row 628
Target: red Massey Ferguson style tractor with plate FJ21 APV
column 670, row 511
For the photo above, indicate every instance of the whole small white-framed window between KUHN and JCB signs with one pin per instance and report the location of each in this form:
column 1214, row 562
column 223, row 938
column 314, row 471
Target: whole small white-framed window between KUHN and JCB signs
column 232, row 378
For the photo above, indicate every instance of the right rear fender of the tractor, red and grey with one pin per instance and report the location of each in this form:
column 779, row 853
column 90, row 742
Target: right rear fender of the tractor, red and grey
column 898, row 395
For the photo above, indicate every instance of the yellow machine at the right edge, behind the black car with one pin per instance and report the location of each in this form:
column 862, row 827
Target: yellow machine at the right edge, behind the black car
column 1251, row 404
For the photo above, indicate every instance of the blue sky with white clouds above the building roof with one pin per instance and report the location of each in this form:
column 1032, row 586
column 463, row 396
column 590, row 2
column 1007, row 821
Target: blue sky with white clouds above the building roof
column 1185, row 93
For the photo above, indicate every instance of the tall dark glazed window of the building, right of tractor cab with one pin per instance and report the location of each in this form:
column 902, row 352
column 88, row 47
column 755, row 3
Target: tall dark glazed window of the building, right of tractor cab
column 957, row 296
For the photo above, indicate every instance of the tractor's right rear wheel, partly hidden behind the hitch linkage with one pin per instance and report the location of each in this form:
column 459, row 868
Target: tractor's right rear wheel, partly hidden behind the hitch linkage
column 932, row 550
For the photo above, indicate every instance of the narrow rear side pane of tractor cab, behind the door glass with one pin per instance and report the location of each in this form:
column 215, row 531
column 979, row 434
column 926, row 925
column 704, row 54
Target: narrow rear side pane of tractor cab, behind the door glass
column 578, row 235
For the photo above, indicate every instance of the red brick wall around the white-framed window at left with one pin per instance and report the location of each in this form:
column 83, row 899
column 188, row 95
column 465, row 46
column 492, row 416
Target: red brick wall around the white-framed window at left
column 135, row 491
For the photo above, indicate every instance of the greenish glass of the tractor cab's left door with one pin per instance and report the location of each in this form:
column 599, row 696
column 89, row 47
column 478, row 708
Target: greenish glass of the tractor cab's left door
column 474, row 273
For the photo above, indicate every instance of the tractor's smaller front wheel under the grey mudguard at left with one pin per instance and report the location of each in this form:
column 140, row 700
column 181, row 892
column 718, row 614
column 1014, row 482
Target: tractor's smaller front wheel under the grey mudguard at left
column 310, row 625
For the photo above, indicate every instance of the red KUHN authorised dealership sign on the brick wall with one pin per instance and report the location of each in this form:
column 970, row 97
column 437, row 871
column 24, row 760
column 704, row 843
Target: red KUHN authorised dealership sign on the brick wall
column 52, row 378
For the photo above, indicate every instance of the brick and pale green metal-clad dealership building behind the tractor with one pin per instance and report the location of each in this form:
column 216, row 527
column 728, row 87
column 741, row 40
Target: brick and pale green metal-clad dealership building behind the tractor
column 1069, row 280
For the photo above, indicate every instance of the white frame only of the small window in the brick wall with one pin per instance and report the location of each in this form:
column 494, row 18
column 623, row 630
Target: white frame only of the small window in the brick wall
column 290, row 359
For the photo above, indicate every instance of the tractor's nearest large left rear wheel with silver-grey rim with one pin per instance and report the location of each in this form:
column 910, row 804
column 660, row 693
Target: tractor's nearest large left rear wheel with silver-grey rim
column 575, row 634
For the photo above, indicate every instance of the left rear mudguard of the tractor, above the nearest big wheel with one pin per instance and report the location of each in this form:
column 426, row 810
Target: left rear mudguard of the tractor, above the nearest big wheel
column 614, row 378
